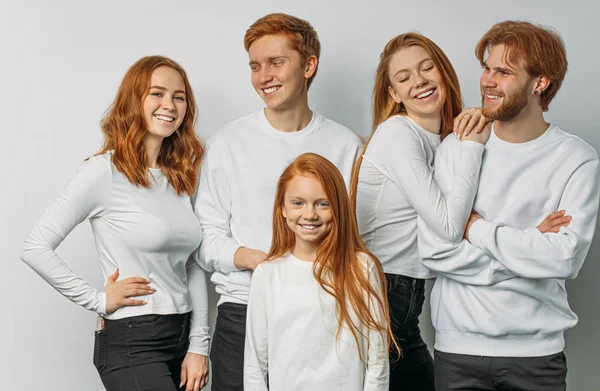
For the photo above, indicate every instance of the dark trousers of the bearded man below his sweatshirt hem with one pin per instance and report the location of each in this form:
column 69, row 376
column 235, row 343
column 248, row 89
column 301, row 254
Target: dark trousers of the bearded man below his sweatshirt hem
column 461, row 372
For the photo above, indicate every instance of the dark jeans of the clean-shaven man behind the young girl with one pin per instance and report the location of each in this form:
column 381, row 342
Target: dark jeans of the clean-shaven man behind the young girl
column 227, row 350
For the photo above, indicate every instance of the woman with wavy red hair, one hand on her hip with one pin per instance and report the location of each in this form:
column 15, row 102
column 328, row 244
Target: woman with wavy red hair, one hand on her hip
column 136, row 194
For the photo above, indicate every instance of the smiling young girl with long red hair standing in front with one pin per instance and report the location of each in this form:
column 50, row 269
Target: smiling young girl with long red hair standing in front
column 317, row 313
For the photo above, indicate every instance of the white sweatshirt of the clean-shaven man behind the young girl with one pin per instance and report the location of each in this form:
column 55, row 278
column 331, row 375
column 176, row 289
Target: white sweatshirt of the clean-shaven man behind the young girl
column 242, row 165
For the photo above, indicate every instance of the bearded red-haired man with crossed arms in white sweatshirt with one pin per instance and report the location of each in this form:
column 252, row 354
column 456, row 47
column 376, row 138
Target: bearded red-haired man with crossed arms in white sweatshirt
column 499, row 305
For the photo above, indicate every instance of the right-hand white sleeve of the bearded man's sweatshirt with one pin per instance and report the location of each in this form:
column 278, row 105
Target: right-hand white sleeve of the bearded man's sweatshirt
column 531, row 254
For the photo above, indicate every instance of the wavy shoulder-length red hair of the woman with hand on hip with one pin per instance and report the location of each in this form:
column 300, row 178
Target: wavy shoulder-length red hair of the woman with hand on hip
column 124, row 129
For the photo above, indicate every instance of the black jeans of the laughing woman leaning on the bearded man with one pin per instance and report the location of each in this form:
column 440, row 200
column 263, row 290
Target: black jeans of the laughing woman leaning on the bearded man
column 414, row 371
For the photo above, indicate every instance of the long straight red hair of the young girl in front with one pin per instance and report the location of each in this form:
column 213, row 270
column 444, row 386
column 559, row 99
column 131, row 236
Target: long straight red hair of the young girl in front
column 337, row 268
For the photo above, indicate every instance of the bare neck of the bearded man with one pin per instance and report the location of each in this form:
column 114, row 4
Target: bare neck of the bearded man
column 528, row 125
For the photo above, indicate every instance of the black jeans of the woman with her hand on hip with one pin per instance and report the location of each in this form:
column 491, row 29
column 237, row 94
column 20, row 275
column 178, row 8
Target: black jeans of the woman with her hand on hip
column 142, row 353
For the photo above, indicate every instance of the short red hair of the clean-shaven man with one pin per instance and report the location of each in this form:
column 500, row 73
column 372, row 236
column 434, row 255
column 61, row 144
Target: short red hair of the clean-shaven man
column 302, row 37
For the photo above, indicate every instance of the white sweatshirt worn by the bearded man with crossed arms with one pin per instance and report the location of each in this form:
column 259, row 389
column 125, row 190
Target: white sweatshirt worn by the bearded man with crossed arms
column 503, row 294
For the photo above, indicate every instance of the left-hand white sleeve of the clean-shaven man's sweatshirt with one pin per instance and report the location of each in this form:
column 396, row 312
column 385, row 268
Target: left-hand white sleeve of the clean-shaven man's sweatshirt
column 213, row 208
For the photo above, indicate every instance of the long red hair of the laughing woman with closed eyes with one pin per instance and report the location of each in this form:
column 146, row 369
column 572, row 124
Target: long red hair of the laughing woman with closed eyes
column 384, row 105
